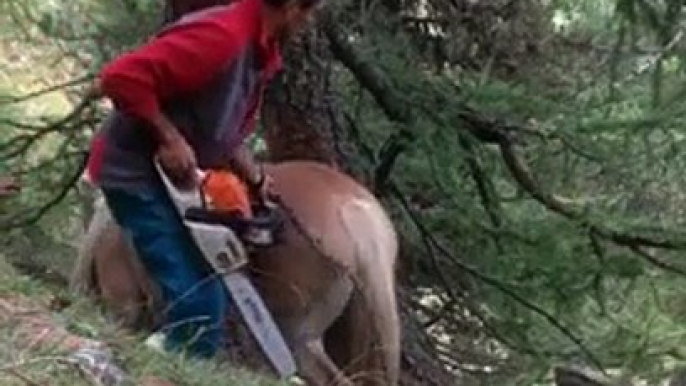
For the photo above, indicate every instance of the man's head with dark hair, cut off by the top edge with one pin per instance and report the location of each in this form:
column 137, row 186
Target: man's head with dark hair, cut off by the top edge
column 286, row 17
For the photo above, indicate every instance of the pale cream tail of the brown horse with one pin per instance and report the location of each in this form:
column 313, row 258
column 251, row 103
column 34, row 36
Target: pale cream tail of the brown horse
column 369, row 331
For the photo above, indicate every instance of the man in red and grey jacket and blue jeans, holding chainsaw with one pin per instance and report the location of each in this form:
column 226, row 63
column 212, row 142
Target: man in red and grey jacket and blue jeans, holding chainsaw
column 189, row 96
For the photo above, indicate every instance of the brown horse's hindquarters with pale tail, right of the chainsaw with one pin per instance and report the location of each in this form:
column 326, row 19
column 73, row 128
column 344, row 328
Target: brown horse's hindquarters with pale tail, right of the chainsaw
column 358, row 237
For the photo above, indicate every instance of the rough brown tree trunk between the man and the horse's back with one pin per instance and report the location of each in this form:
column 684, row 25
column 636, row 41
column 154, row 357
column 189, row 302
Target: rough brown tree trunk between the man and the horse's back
column 299, row 113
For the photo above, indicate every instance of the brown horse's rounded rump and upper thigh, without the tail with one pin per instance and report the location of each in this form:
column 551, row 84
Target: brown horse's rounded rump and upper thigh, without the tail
column 316, row 196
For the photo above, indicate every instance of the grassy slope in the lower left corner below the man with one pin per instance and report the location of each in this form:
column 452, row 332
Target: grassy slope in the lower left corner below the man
column 25, row 362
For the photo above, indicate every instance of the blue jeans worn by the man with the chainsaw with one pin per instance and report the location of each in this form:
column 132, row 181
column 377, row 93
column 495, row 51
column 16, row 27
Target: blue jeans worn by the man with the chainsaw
column 196, row 299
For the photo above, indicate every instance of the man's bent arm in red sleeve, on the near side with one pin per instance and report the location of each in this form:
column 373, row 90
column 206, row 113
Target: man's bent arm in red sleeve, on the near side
column 181, row 60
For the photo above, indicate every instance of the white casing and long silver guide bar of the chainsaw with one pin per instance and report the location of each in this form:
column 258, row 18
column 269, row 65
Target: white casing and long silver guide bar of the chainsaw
column 225, row 252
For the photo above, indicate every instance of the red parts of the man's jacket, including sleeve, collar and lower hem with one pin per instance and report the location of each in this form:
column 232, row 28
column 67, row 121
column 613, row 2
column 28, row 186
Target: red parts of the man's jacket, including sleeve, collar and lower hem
column 181, row 61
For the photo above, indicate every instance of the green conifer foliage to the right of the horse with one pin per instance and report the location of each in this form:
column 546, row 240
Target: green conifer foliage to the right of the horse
column 606, row 140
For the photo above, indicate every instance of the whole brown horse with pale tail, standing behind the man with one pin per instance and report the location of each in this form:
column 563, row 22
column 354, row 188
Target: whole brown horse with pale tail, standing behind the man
column 329, row 283
